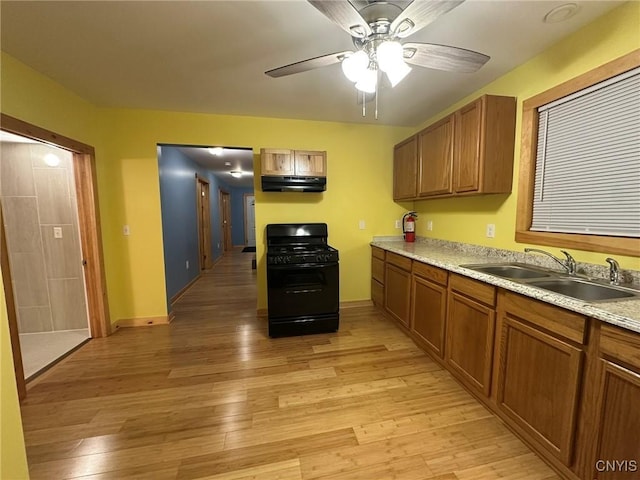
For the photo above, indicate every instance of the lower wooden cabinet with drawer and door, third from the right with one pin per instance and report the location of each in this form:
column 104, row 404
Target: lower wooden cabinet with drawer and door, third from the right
column 470, row 332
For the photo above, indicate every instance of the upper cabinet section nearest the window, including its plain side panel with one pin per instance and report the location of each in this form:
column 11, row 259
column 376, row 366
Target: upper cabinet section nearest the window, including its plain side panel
column 485, row 139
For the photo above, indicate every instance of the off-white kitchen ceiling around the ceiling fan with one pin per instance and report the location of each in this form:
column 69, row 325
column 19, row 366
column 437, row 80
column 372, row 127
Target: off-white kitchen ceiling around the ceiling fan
column 210, row 56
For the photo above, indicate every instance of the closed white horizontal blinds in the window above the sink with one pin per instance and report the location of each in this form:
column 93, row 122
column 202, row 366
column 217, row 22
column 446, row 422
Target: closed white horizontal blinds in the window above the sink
column 588, row 161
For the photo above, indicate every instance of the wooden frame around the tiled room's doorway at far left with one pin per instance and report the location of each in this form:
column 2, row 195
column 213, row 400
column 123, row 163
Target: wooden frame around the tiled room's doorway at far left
column 84, row 167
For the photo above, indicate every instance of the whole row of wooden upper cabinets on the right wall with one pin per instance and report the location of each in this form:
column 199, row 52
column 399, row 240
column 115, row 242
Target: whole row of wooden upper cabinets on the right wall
column 469, row 152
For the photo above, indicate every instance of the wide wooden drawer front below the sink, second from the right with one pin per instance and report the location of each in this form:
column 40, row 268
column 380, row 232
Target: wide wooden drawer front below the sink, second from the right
column 559, row 321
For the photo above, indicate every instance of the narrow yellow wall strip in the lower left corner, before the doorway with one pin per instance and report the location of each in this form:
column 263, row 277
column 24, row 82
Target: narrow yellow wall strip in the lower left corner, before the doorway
column 13, row 459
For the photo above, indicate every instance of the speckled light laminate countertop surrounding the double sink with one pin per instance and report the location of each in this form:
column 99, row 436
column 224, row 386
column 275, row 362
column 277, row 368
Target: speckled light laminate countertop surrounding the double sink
column 449, row 256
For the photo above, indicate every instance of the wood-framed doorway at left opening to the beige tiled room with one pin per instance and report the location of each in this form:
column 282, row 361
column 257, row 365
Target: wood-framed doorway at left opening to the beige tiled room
column 52, row 259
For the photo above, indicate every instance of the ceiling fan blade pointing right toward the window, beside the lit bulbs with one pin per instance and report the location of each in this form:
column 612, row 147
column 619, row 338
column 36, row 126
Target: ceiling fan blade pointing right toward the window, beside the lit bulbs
column 443, row 57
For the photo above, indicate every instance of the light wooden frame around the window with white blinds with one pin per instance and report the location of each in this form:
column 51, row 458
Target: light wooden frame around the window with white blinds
column 528, row 149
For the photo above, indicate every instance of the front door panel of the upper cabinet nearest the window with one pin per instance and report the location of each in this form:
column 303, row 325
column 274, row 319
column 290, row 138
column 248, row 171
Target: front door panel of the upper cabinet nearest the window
column 467, row 153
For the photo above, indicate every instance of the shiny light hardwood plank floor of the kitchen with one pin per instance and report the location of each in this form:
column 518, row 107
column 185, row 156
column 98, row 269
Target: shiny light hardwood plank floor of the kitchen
column 211, row 396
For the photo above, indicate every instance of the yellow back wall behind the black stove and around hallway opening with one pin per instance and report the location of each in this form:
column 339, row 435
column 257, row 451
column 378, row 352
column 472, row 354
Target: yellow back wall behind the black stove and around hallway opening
column 358, row 188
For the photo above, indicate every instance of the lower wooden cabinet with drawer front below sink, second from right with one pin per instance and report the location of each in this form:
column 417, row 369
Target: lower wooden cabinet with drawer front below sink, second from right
column 539, row 372
